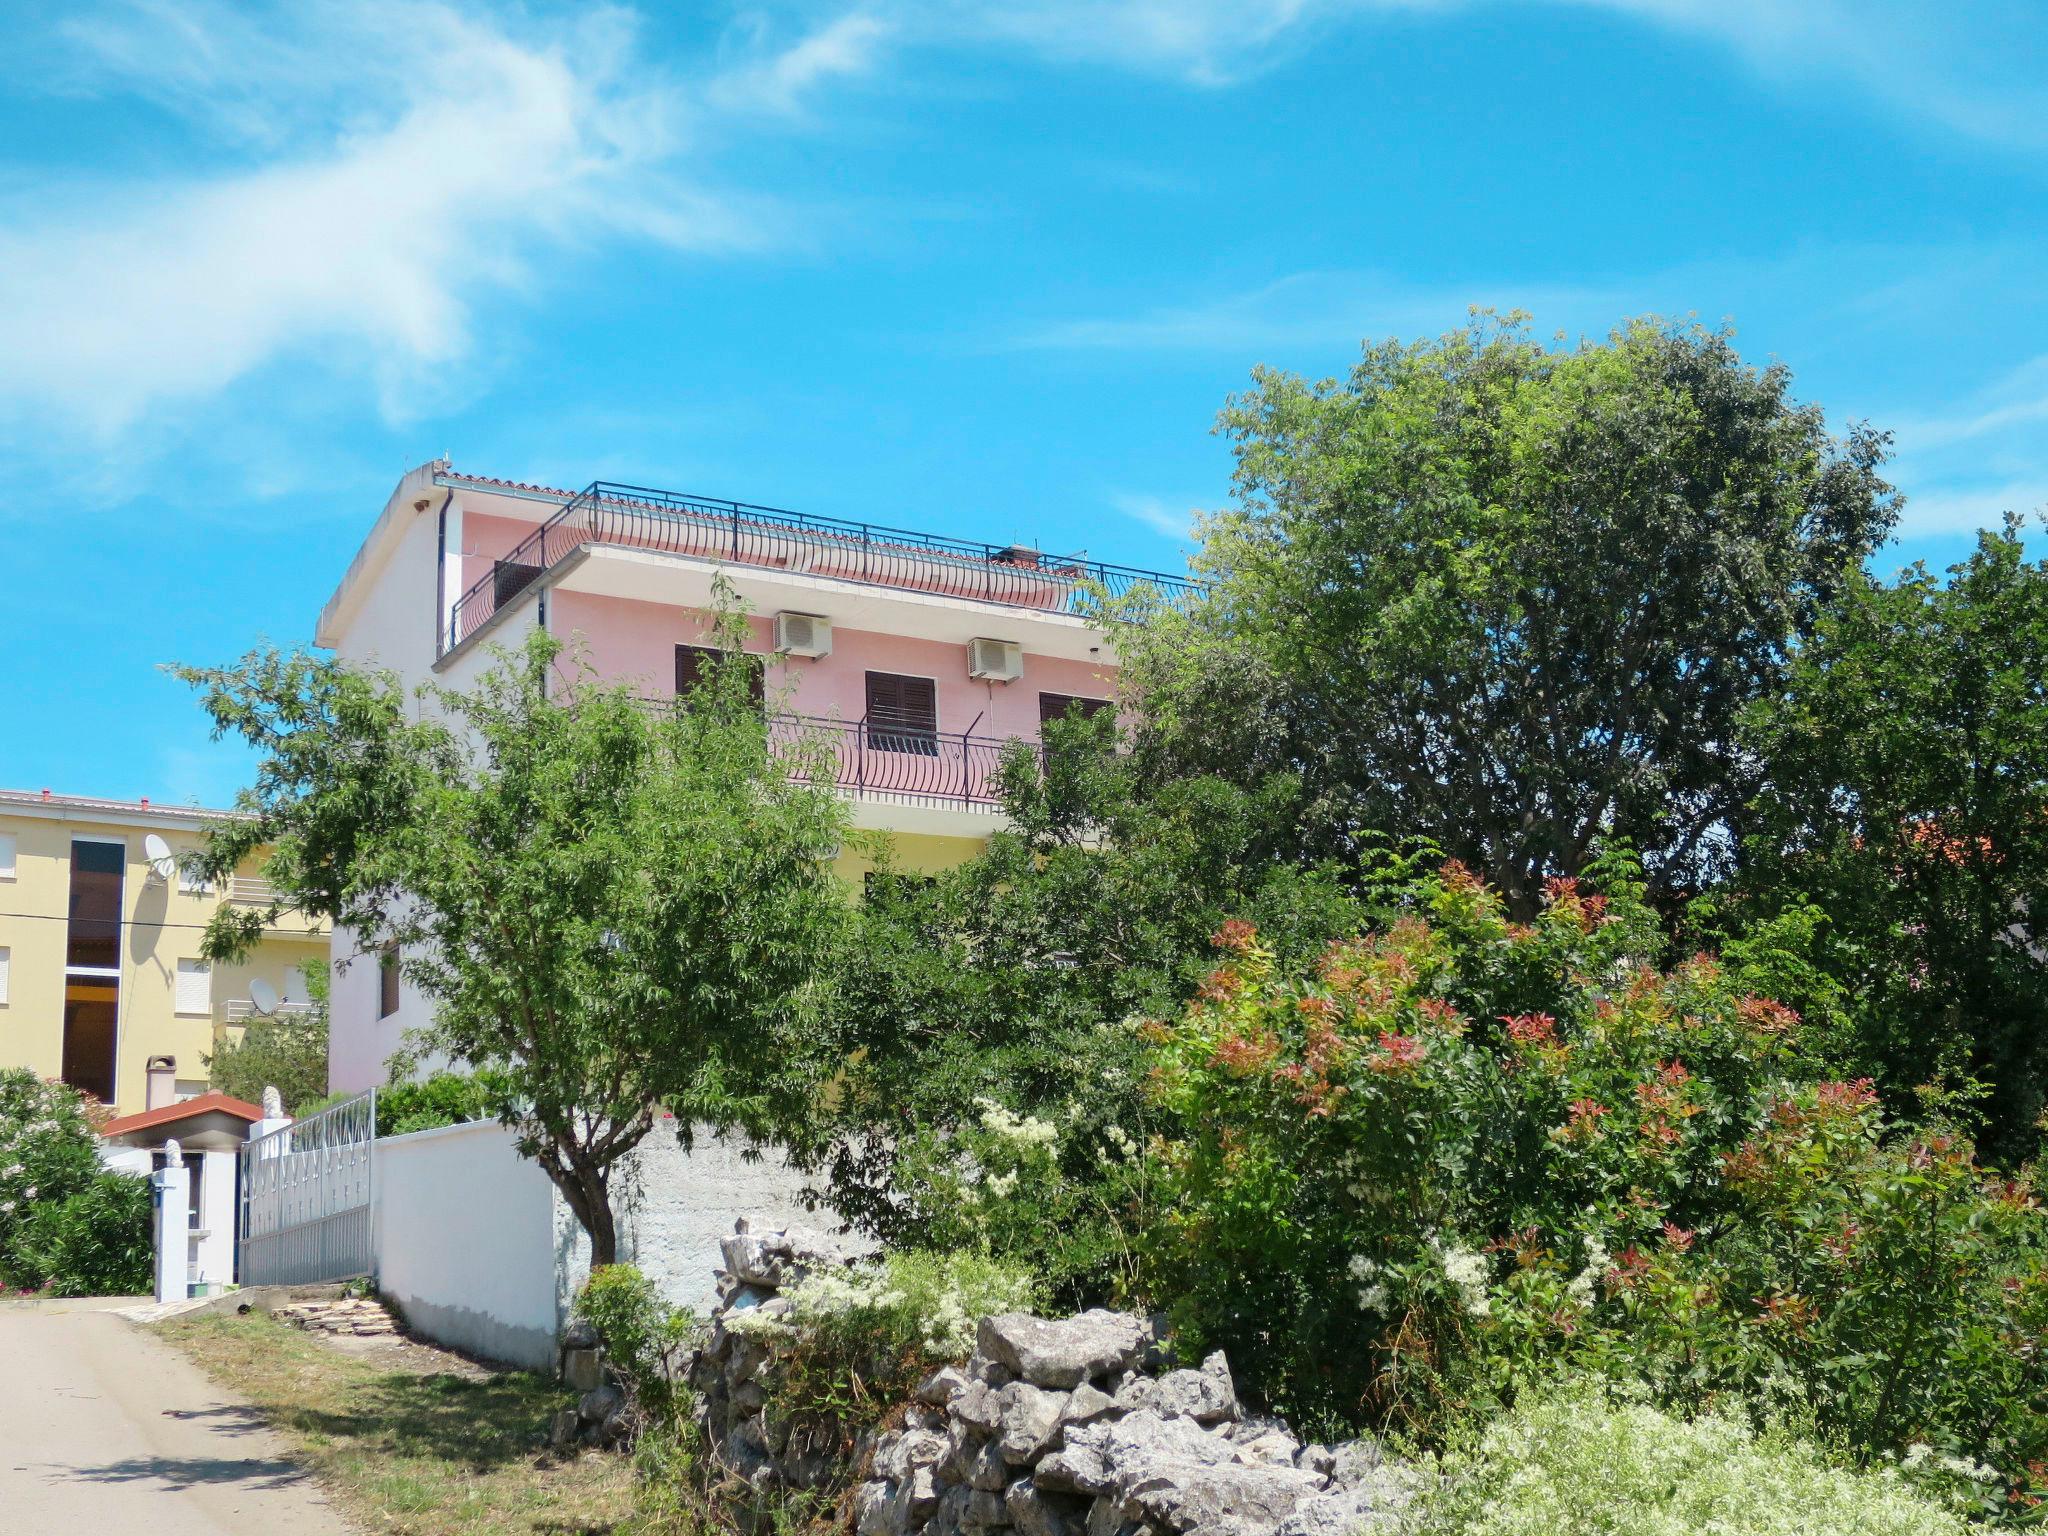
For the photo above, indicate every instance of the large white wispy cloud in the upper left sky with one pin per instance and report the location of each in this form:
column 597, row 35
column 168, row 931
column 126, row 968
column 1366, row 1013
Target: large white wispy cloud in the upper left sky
column 394, row 163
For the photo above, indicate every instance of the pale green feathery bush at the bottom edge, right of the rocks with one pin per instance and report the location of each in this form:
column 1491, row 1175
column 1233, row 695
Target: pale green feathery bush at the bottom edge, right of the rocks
column 1584, row 1465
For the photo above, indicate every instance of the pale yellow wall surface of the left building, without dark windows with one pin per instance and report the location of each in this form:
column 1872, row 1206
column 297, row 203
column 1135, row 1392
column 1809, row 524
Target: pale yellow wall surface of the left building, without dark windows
column 161, row 927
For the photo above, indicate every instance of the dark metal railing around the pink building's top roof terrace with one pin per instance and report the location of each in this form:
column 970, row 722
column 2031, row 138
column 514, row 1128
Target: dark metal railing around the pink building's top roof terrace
column 634, row 517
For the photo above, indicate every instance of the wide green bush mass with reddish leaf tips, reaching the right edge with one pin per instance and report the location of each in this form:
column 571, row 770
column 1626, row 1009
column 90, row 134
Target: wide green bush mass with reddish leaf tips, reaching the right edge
column 1465, row 1152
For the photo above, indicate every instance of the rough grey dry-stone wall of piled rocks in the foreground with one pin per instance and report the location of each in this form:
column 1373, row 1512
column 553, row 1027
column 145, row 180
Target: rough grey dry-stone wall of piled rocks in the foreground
column 1054, row 1428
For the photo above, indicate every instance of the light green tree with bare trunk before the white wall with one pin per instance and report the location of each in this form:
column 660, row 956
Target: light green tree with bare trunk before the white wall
column 613, row 908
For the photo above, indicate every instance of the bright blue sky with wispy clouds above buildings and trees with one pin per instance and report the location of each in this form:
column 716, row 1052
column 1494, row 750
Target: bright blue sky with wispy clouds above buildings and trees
column 986, row 269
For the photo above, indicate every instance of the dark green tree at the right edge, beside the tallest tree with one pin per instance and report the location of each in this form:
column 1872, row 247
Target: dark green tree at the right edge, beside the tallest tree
column 1908, row 802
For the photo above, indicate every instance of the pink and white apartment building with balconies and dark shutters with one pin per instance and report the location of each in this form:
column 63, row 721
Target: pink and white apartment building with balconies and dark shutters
column 916, row 656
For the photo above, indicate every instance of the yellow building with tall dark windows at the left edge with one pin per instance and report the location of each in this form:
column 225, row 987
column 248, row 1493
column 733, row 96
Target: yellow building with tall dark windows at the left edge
column 101, row 974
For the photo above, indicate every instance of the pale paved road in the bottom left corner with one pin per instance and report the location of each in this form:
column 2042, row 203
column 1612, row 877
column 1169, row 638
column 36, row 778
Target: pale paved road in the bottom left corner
column 110, row 1433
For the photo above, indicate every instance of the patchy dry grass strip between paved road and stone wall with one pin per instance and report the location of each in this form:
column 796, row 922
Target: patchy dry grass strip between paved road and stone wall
column 417, row 1453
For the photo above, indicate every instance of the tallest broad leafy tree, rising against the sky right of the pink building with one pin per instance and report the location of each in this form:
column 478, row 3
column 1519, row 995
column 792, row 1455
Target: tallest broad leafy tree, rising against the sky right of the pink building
column 1510, row 597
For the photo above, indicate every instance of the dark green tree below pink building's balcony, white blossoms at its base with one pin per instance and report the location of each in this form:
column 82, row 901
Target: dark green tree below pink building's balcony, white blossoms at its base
column 1005, row 988
